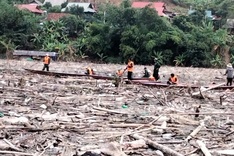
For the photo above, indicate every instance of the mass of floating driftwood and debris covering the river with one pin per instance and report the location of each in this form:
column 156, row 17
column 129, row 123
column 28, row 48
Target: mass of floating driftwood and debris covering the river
column 74, row 114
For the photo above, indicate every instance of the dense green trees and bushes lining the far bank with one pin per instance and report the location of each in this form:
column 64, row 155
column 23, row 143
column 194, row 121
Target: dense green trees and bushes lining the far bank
column 116, row 33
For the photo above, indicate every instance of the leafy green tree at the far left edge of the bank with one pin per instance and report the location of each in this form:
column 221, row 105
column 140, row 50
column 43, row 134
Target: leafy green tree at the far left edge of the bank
column 17, row 25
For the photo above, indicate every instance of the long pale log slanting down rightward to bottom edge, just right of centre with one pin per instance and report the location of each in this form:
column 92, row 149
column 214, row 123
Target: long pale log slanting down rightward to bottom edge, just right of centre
column 166, row 150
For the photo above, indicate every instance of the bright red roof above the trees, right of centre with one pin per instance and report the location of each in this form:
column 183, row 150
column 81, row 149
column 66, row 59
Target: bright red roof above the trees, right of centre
column 158, row 6
